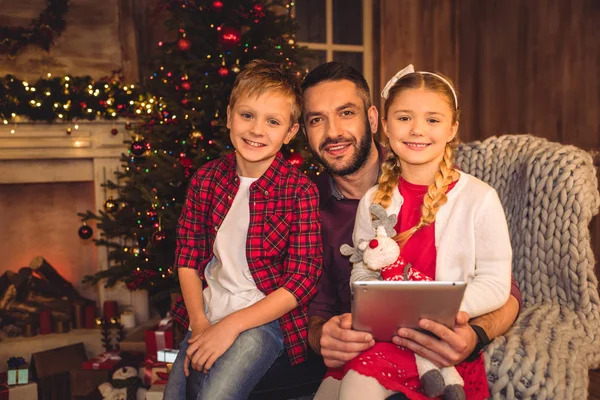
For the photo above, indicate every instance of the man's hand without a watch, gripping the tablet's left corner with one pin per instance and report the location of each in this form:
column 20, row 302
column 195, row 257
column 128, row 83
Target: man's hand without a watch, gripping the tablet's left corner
column 339, row 343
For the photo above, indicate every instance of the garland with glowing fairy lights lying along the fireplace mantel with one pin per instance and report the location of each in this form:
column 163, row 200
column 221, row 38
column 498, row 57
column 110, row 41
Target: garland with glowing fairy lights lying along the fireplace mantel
column 70, row 98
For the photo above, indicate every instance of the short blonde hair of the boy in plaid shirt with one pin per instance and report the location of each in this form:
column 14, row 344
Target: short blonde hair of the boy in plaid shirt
column 259, row 77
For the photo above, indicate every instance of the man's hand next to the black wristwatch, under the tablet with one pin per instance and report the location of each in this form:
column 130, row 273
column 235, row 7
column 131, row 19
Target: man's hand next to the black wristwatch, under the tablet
column 452, row 347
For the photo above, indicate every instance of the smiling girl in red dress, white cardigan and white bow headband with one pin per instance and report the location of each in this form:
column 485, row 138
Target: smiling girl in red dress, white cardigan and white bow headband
column 452, row 227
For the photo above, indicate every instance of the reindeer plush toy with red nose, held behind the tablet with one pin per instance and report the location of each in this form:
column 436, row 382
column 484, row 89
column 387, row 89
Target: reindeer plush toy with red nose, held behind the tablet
column 382, row 254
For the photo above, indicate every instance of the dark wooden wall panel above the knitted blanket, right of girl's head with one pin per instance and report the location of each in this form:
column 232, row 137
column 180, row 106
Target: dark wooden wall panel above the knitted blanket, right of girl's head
column 530, row 67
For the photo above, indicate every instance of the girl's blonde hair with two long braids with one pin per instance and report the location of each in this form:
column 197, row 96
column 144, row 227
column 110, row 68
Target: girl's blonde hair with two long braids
column 391, row 169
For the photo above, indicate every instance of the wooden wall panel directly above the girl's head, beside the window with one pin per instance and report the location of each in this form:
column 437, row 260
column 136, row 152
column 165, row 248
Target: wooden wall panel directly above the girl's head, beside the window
column 422, row 33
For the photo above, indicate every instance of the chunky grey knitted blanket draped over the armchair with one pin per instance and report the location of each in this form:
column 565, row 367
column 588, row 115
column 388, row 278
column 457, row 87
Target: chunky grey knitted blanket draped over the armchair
column 550, row 194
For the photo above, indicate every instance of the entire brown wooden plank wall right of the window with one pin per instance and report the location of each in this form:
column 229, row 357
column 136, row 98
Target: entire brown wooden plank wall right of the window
column 521, row 66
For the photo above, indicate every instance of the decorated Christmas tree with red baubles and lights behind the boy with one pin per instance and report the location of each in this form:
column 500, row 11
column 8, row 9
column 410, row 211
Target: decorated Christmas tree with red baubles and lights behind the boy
column 183, row 127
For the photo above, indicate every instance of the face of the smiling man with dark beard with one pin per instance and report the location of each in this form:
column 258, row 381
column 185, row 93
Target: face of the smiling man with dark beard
column 338, row 128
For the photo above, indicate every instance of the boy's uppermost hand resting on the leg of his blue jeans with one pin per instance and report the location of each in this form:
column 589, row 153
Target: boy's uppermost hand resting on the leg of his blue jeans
column 211, row 344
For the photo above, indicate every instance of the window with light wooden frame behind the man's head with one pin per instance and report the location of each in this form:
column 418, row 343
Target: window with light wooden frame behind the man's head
column 337, row 30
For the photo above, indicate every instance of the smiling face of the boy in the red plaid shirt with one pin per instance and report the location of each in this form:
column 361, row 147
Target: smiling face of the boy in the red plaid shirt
column 259, row 126
